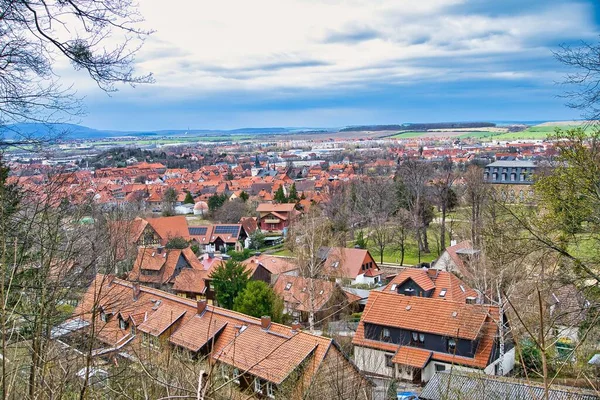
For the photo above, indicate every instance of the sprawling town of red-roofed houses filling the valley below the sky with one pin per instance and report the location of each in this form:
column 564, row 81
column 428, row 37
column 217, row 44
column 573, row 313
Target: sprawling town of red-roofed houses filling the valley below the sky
column 359, row 267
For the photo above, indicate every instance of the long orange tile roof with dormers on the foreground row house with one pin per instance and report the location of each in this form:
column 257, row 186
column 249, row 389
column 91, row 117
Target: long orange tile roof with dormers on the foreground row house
column 239, row 340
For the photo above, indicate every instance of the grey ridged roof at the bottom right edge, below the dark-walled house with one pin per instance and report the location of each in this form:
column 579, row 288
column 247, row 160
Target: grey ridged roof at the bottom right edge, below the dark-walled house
column 446, row 386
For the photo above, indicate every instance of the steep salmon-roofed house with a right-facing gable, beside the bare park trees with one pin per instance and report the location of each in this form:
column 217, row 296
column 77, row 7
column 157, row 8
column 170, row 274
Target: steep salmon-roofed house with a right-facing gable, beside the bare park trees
column 350, row 264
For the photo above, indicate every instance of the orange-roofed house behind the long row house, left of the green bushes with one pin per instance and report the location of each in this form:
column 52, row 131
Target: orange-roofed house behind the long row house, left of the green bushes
column 160, row 267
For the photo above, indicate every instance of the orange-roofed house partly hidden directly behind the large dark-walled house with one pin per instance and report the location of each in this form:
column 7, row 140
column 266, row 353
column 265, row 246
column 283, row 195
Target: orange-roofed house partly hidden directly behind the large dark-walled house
column 432, row 283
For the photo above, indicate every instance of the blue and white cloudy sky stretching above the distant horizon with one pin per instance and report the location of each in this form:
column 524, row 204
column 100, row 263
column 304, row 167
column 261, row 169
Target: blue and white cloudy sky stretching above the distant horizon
column 328, row 63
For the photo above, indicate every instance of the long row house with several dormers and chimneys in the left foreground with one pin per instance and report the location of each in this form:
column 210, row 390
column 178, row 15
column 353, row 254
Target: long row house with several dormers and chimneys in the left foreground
column 257, row 356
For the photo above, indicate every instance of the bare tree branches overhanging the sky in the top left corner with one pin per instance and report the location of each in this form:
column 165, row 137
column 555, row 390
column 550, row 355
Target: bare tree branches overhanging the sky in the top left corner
column 35, row 34
